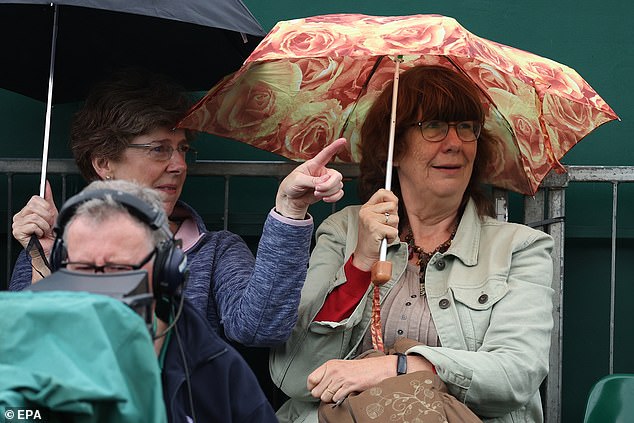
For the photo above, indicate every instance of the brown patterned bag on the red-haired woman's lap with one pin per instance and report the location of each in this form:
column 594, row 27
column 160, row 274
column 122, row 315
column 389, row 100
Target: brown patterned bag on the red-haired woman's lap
column 420, row 397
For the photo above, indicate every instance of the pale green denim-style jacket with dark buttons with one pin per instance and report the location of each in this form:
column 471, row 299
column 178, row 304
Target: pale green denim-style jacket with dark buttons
column 490, row 299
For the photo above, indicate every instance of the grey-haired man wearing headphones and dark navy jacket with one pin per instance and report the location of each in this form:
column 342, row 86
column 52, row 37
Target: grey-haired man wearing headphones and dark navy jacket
column 116, row 226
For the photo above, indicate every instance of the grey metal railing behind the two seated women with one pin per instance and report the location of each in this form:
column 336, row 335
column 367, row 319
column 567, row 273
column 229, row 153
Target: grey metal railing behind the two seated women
column 545, row 211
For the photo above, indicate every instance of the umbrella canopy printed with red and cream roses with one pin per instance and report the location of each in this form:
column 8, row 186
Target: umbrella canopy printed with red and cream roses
column 312, row 80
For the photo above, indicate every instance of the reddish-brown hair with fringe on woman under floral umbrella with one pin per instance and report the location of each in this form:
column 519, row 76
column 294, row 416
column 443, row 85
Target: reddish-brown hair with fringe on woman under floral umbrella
column 436, row 93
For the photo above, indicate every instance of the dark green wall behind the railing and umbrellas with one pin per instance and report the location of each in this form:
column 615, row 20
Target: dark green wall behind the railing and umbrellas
column 592, row 37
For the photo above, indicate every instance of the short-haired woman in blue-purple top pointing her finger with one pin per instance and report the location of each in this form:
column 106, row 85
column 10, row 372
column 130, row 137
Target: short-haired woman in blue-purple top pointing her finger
column 125, row 130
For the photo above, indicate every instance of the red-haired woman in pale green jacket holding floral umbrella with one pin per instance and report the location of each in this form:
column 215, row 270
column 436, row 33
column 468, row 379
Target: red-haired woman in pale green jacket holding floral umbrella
column 473, row 293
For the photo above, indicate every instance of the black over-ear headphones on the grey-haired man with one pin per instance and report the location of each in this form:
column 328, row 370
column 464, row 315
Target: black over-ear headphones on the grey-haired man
column 170, row 262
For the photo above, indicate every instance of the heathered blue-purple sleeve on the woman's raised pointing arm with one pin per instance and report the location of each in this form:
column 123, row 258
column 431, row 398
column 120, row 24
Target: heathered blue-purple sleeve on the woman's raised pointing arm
column 258, row 305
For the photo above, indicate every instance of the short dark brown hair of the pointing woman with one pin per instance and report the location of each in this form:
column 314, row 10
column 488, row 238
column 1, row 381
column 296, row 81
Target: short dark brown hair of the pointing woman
column 132, row 102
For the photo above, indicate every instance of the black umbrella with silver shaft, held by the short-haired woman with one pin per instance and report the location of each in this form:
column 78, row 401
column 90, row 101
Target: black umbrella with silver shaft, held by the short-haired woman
column 55, row 52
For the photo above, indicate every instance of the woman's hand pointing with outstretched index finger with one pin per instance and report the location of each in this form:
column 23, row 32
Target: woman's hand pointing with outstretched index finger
column 310, row 182
